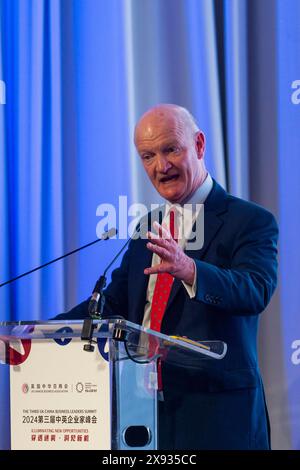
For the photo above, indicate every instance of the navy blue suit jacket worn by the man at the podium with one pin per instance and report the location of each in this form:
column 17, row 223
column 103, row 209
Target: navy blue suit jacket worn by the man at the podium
column 212, row 404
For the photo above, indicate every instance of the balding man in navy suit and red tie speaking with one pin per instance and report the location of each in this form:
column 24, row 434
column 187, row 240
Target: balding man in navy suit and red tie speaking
column 213, row 293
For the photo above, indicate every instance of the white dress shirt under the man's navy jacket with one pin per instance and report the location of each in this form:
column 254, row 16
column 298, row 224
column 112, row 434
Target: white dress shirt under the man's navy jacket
column 184, row 222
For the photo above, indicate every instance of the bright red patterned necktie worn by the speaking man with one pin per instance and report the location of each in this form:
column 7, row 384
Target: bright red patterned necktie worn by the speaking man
column 162, row 289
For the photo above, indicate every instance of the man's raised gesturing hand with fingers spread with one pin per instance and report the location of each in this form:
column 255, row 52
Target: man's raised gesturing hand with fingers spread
column 173, row 259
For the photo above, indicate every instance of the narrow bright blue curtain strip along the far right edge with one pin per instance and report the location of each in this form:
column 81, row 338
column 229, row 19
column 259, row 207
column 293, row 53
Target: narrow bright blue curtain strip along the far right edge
column 289, row 201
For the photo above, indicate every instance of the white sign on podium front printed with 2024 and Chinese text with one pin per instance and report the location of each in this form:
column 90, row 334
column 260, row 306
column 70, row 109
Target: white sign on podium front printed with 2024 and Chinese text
column 60, row 396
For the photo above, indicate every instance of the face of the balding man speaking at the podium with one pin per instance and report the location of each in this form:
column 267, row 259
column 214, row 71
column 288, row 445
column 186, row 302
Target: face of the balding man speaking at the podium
column 171, row 152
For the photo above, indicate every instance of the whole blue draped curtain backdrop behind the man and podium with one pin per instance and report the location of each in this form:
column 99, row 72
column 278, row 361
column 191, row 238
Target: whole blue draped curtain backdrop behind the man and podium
column 76, row 75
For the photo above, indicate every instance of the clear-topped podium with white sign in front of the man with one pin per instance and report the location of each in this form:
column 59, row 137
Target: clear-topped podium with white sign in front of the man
column 60, row 392
